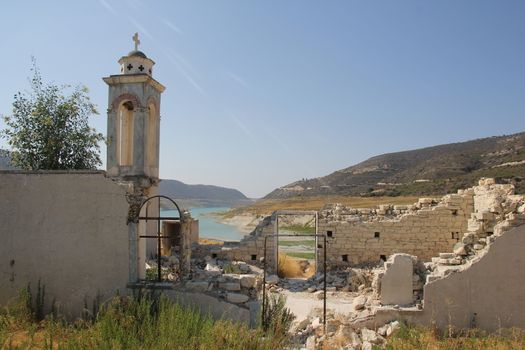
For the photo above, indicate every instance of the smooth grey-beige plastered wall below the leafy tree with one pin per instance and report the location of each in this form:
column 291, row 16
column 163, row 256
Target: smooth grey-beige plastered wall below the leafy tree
column 67, row 229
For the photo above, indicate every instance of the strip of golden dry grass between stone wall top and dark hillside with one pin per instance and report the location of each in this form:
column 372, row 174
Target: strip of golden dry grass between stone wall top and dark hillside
column 267, row 206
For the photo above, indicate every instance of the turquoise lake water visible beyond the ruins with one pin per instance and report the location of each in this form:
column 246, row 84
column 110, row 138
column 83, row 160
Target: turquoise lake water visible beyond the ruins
column 209, row 227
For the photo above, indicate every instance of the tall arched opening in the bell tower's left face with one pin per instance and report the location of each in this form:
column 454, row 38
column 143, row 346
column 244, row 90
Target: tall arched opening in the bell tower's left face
column 125, row 121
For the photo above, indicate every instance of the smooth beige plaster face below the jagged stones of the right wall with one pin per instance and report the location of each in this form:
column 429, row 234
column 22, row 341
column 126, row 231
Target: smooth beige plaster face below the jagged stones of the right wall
column 488, row 295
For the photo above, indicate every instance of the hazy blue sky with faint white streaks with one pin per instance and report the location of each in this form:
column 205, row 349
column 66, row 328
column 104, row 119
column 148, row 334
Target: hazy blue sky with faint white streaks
column 262, row 93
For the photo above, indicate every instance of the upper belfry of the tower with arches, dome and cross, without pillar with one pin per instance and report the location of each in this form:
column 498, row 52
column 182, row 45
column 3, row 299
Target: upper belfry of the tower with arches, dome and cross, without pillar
column 134, row 120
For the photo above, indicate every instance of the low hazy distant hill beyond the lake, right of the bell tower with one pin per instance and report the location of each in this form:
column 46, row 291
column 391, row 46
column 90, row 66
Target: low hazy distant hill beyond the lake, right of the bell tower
column 202, row 195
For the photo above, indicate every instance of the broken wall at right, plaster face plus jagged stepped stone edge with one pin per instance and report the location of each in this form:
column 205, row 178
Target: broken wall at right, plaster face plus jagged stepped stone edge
column 479, row 282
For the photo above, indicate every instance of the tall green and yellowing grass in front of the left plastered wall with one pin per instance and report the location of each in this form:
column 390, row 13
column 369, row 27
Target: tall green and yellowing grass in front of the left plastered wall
column 128, row 323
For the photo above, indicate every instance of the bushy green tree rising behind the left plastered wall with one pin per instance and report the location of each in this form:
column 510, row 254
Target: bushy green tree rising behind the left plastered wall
column 49, row 128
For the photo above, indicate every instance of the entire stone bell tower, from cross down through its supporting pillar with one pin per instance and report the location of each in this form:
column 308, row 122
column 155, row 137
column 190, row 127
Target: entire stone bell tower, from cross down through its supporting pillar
column 133, row 146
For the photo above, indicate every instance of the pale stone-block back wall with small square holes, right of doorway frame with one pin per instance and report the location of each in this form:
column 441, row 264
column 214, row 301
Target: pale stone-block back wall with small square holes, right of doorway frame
column 423, row 229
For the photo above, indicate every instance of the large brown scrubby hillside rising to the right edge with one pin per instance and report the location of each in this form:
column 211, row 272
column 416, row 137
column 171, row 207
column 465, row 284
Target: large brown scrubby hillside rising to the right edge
column 432, row 170
